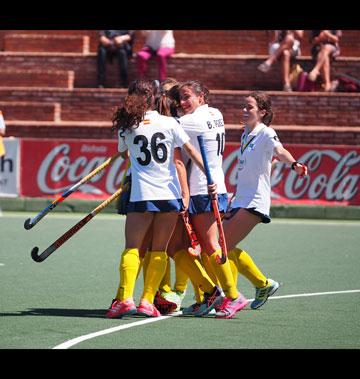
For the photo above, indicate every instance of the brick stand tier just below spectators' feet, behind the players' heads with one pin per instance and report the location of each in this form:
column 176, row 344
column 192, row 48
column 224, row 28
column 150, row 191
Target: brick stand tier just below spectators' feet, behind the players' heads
column 323, row 109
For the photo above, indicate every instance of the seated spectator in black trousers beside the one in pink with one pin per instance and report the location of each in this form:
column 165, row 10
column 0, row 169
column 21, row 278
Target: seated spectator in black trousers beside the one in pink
column 114, row 44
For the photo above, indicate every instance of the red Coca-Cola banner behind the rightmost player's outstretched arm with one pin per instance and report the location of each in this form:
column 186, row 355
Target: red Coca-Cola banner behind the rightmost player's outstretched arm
column 333, row 176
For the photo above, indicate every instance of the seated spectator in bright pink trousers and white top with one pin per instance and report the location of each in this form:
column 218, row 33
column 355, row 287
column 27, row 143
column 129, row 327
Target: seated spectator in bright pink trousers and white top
column 158, row 43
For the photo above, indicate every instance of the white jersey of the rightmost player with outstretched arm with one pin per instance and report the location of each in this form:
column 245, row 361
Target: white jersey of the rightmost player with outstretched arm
column 254, row 168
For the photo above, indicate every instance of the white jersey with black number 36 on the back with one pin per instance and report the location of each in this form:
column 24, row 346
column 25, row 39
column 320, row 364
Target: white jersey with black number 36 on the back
column 151, row 147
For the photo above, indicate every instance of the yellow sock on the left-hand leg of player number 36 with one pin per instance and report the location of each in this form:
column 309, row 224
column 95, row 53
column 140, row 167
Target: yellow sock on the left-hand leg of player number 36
column 128, row 268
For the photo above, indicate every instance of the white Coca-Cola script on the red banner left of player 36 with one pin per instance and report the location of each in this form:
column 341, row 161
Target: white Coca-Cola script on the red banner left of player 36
column 57, row 167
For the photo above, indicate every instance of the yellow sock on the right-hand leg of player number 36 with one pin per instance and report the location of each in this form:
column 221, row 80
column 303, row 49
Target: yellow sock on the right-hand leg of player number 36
column 154, row 273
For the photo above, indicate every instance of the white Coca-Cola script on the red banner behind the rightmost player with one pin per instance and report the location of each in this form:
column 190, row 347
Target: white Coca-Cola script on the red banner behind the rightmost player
column 330, row 177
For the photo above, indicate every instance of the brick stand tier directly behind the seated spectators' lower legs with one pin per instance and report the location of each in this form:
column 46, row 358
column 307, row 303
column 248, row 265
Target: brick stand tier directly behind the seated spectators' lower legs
column 217, row 72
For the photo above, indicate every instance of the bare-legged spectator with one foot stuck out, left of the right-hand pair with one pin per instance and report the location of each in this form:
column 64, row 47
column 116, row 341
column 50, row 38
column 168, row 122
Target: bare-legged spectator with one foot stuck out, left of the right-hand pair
column 285, row 47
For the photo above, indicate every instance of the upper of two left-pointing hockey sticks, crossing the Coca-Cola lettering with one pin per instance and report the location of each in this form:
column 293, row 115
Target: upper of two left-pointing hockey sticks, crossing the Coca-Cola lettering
column 29, row 223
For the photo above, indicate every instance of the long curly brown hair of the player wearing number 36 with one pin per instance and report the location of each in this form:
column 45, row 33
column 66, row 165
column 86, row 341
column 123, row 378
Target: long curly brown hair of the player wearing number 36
column 140, row 98
